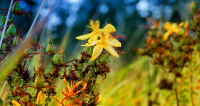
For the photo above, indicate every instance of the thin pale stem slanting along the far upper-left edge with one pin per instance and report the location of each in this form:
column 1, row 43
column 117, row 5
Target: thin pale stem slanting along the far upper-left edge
column 5, row 25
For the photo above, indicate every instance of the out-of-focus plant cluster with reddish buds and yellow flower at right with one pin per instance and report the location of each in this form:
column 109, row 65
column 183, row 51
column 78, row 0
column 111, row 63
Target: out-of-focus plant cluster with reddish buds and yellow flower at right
column 174, row 48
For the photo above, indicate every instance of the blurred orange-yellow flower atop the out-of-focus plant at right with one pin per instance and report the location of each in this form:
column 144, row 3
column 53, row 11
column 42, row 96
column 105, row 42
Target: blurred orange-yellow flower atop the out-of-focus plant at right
column 172, row 28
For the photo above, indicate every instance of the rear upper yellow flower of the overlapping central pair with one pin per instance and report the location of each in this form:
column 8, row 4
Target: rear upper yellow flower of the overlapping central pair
column 96, row 32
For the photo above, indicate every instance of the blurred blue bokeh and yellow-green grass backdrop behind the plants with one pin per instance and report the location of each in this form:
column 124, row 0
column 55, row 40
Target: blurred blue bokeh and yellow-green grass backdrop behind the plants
column 124, row 85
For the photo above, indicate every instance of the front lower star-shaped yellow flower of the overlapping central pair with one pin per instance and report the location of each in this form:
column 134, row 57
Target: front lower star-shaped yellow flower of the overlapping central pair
column 106, row 43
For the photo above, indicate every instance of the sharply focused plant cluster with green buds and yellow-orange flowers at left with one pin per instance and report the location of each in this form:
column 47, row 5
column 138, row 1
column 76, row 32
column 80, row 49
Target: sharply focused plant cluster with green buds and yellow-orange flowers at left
column 36, row 86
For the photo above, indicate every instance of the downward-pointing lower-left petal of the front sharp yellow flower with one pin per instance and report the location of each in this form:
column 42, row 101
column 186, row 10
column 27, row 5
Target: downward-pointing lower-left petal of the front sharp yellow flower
column 97, row 51
